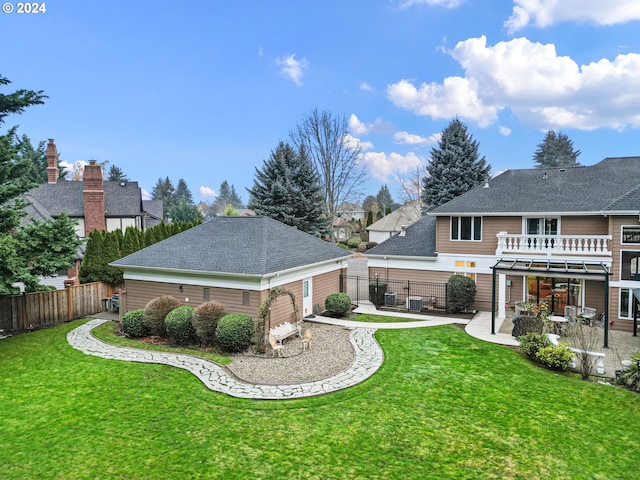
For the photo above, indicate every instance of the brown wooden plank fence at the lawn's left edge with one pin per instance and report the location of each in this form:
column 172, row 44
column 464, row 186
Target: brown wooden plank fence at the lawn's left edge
column 31, row 311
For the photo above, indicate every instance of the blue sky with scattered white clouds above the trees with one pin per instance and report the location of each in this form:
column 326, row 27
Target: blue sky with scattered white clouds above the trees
column 205, row 90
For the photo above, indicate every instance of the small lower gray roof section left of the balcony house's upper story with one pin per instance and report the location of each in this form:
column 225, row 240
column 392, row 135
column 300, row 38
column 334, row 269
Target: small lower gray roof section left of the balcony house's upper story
column 418, row 241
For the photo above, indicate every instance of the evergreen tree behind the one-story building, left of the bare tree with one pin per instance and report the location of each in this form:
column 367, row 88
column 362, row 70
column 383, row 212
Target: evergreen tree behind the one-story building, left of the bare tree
column 288, row 189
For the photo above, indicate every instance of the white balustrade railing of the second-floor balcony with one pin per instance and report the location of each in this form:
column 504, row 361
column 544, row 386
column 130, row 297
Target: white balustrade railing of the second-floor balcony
column 549, row 245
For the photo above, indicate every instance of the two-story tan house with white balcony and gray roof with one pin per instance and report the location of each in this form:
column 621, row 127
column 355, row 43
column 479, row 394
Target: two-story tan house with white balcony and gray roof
column 562, row 237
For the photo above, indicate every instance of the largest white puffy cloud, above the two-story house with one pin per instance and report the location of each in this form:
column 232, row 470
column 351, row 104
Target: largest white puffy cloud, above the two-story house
column 543, row 89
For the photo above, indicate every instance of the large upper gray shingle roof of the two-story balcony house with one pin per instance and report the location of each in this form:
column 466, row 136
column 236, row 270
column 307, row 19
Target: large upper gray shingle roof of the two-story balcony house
column 608, row 186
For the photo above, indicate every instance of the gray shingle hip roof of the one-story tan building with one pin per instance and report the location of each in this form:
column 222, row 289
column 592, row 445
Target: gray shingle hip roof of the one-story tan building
column 236, row 245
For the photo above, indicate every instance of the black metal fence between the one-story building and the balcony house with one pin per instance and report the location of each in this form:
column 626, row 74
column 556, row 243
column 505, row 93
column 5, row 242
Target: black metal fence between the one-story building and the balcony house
column 401, row 295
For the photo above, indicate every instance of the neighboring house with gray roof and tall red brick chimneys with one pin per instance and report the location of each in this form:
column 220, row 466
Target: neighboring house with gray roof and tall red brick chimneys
column 92, row 202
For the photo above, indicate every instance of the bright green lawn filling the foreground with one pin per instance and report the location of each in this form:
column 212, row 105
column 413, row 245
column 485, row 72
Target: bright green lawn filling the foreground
column 443, row 405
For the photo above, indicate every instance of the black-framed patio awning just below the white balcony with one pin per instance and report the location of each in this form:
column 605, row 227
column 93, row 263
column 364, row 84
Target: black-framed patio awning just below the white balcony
column 552, row 268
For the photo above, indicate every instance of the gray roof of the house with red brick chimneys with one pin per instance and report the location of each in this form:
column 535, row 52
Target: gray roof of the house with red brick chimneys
column 119, row 200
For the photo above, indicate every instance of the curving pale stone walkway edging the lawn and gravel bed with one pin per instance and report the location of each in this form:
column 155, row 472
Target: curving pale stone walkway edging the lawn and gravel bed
column 368, row 358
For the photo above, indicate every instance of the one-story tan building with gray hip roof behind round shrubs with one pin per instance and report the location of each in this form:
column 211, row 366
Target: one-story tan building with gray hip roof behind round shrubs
column 236, row 261
